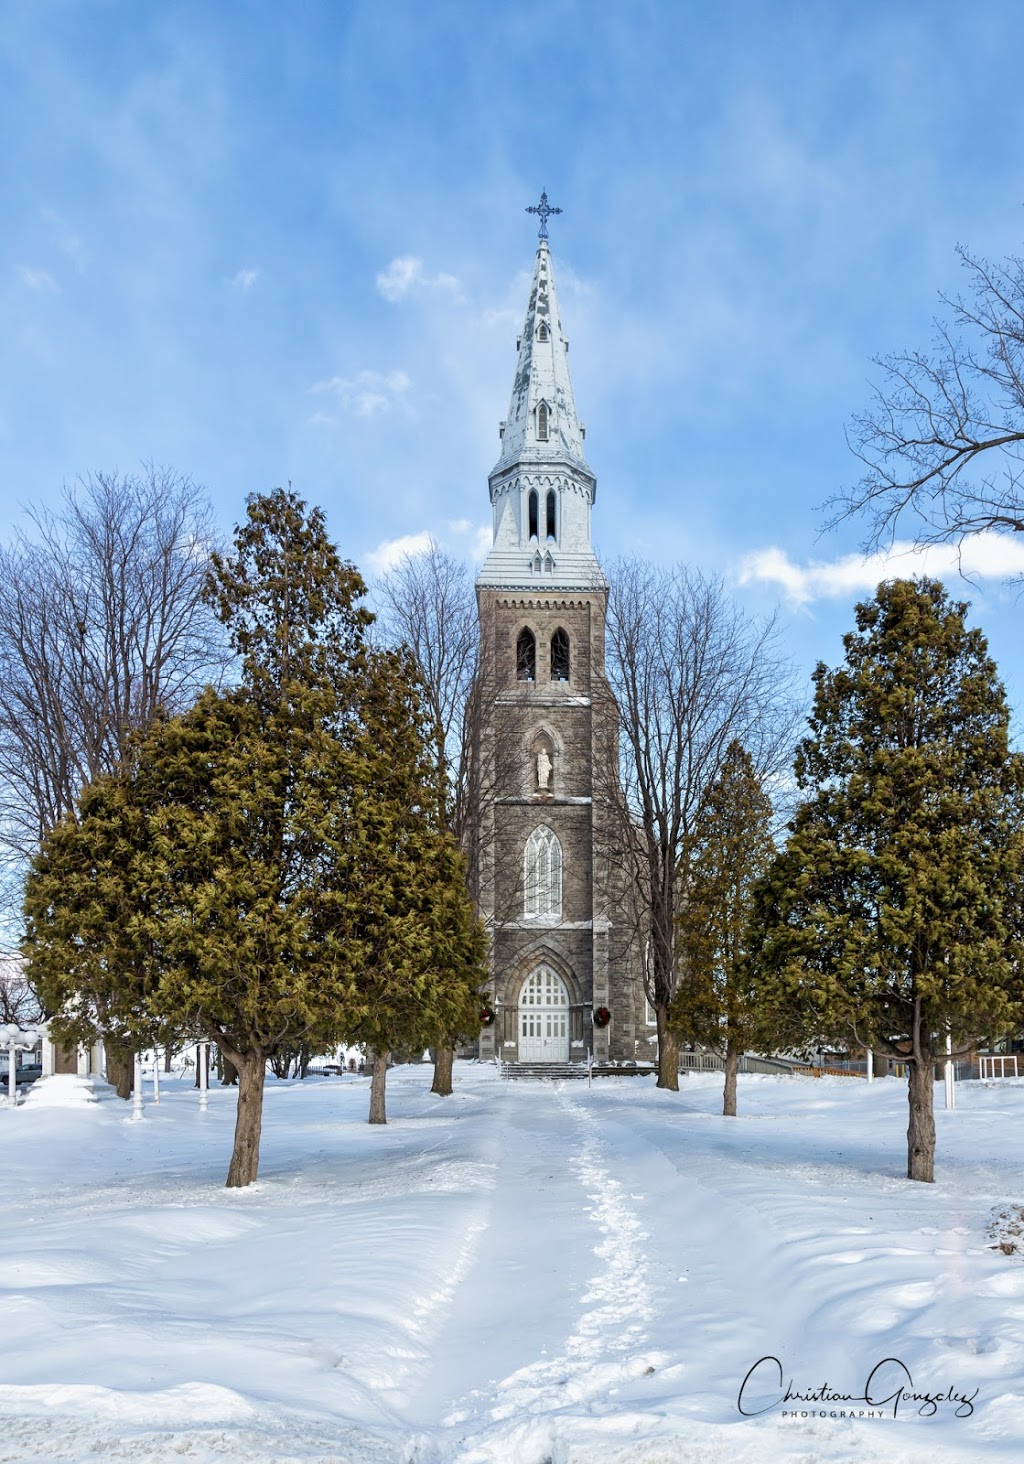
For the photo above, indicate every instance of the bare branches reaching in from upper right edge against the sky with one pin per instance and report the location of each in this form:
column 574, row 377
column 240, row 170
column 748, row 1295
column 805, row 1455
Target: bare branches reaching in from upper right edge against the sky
column 944, row 441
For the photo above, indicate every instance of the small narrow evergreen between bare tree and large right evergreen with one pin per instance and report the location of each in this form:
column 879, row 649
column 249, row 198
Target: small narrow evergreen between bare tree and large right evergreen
column 717, row 1004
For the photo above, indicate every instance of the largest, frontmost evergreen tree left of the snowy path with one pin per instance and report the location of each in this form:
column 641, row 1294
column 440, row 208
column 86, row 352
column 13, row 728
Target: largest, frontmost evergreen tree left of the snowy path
column 234, row 892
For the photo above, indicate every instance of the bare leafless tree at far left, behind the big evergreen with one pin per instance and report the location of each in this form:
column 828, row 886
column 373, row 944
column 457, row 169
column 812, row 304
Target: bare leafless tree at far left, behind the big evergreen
column 102, row 626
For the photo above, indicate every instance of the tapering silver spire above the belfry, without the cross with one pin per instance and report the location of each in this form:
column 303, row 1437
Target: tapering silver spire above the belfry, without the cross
column 543, row 424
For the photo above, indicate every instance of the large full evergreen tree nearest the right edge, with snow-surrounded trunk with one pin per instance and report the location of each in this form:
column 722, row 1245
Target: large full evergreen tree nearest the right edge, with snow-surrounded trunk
column 893, row 917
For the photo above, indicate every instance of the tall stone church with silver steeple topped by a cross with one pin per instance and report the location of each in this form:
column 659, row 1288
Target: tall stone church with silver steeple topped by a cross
column 566, row 982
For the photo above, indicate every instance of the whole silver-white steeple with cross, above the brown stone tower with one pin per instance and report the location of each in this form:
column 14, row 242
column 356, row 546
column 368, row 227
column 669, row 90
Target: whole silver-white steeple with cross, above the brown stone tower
column 541, row 487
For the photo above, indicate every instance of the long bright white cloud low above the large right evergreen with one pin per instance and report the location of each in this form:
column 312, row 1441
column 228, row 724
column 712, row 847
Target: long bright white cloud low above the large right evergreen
column 982, row 557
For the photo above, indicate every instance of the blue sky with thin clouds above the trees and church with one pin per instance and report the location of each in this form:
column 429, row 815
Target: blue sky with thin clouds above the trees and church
column 267, row 244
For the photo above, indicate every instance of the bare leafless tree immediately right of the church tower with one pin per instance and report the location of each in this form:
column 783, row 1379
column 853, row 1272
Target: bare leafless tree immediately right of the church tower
column 691, row 674
